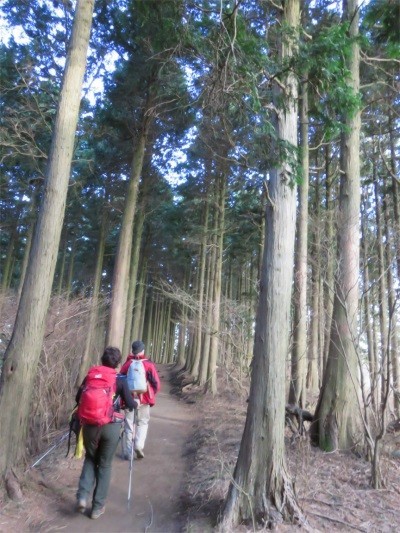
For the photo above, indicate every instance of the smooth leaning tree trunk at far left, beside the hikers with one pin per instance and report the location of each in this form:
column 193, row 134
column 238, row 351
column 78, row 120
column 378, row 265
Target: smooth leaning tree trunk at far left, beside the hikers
column 23, row 352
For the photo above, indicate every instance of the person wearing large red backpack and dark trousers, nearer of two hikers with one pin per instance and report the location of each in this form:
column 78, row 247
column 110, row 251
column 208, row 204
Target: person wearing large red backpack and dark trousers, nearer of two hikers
column 97, row 400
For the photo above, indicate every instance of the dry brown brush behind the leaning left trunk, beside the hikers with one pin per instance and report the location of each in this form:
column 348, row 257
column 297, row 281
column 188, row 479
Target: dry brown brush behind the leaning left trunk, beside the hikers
column 67, row 326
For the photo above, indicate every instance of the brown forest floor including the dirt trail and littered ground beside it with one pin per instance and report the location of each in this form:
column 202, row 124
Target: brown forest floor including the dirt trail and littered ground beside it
column 179, row 486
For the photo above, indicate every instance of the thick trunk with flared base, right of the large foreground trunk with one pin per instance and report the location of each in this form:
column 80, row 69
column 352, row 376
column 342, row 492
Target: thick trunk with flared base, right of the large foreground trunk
column 338, row 422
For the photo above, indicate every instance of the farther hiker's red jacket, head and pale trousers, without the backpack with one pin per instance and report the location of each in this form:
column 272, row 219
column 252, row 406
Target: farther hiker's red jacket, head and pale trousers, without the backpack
column 136, row 424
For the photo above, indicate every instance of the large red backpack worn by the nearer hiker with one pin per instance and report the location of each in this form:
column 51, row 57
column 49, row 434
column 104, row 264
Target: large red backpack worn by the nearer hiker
column 96, row 401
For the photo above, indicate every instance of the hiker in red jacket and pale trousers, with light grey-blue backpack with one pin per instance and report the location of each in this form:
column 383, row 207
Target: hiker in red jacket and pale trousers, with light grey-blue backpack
column 144, row 388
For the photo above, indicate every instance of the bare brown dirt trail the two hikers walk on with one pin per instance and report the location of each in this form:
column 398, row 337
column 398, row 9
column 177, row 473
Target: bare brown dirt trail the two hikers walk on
column 157, row 480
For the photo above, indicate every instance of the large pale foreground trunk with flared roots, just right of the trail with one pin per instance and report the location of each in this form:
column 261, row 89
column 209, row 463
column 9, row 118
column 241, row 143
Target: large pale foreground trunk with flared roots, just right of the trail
column 262, row 490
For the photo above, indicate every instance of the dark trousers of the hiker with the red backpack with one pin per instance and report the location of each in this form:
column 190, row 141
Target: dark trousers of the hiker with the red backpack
column 100, row 445
